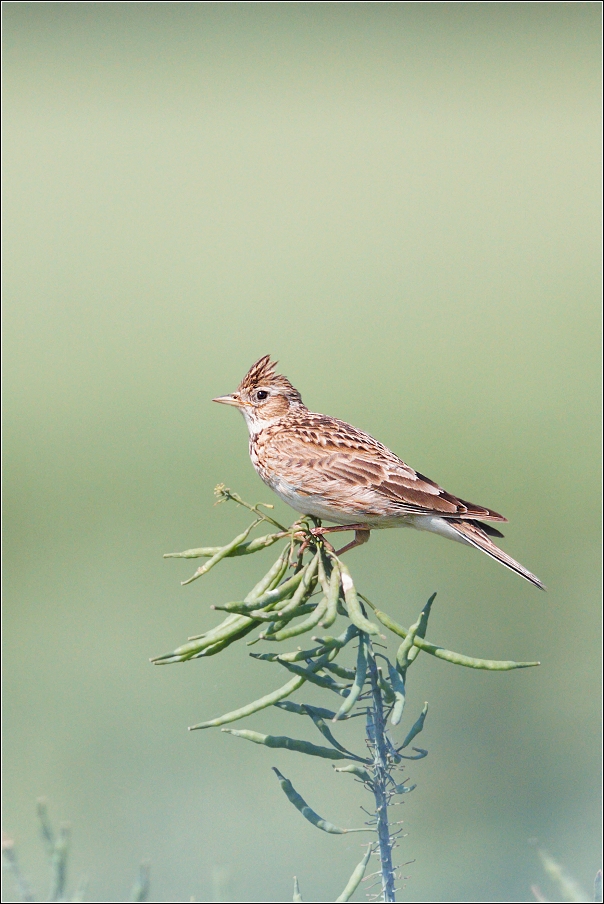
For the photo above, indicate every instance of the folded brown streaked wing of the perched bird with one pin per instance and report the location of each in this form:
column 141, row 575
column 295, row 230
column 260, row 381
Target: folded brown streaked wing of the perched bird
column 328, row 458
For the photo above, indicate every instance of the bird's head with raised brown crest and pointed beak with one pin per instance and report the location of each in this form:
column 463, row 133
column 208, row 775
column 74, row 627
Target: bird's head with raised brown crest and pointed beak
column 263, row 396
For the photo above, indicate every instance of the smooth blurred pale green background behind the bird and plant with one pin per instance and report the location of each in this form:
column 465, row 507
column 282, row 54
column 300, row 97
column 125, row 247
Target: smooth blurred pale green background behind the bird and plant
column 400, row 202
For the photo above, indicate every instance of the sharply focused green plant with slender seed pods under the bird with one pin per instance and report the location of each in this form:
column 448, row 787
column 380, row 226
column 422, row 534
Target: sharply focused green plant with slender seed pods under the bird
column 281, row 607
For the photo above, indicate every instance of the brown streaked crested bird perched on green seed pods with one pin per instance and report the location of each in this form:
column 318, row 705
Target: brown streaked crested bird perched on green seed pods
column 327, row 469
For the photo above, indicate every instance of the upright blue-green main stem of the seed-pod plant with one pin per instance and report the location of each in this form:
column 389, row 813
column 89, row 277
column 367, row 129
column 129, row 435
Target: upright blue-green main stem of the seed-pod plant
column 376, row 734
